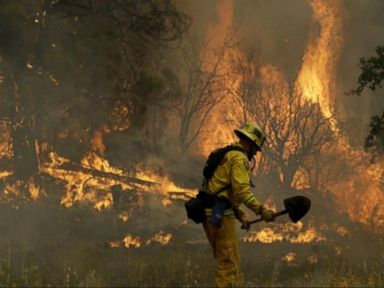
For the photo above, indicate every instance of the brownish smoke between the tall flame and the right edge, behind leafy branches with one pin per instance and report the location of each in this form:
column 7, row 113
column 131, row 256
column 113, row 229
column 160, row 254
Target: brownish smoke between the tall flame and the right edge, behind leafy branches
column 362, row 33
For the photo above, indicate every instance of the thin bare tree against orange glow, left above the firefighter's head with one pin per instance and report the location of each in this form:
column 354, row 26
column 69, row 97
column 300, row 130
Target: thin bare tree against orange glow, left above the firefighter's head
column 202, row 78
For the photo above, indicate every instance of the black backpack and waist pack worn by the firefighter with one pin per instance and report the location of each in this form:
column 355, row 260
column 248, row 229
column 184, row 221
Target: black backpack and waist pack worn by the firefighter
column 195, row 207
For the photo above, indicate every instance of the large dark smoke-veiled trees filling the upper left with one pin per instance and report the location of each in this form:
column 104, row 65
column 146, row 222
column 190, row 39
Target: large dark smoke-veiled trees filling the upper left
column 50, row 81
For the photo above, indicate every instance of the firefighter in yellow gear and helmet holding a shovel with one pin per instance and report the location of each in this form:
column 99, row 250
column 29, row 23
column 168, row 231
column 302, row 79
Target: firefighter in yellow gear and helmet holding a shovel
column 234, row 172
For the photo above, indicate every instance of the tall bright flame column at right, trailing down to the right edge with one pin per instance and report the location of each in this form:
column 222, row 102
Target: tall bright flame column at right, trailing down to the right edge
column 360, row 196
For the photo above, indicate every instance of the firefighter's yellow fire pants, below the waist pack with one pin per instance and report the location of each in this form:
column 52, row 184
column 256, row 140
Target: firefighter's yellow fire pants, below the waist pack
column 225, row 248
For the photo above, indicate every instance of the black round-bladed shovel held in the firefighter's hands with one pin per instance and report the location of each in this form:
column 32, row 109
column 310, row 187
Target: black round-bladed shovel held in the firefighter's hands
column 296, row 207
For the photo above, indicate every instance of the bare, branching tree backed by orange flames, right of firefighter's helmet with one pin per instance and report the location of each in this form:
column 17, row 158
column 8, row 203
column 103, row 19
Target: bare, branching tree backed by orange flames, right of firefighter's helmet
column 298, row 132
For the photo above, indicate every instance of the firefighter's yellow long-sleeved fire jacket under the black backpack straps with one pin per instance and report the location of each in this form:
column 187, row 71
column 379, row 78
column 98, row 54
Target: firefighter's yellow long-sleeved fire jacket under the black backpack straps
column 234, row 170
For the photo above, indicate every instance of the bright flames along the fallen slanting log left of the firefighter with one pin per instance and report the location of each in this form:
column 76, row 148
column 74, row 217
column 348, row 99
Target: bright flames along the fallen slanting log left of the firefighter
column 88, row 188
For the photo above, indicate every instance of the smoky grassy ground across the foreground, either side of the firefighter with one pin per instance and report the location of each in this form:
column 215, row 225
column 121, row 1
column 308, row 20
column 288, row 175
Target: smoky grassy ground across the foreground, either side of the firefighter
column 43, row 244
